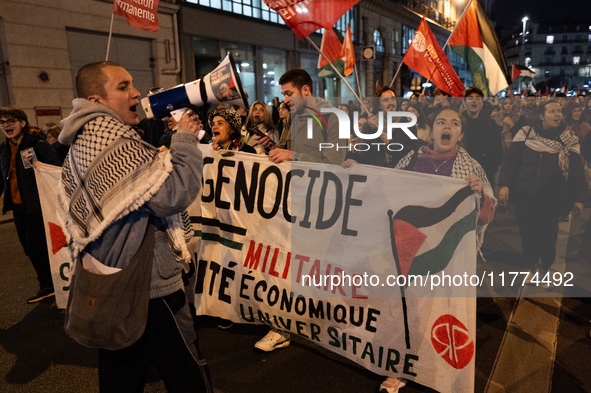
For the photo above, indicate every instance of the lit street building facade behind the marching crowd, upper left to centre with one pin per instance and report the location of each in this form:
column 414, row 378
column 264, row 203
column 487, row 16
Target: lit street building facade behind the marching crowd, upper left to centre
column 44, row 42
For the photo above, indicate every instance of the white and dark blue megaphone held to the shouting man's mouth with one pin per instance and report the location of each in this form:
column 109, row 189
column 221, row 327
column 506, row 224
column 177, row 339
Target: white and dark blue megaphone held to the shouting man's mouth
column 221, row 85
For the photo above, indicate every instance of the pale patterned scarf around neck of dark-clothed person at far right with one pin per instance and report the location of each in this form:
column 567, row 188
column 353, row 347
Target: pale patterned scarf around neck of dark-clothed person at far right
column 570, row 142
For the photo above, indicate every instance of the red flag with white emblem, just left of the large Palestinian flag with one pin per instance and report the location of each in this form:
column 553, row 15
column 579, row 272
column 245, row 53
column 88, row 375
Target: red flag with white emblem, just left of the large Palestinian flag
column 426, row 57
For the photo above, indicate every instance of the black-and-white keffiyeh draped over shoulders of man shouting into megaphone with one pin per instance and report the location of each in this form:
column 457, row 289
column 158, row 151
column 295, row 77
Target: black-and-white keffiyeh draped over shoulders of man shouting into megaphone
column 109, row 173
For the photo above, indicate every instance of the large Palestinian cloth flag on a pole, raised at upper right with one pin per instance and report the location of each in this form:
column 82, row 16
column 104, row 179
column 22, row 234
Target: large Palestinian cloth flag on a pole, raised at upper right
column 475, row 40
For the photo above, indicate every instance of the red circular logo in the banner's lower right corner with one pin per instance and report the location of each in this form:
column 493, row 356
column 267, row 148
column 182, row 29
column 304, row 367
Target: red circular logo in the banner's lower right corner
column 452, row 342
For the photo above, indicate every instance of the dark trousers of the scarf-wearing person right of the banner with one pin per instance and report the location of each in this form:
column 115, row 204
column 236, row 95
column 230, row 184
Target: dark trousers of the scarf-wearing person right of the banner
column 538, row 224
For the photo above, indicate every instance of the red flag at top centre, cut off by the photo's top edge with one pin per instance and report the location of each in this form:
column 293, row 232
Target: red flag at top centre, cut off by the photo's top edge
column 306, row 16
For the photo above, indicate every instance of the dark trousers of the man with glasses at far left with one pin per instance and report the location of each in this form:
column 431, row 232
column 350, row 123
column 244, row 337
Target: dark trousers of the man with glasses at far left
column 31, row 233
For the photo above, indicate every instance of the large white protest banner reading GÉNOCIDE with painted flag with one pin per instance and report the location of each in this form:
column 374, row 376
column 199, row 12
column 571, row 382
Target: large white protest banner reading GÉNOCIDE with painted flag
column 389, row 254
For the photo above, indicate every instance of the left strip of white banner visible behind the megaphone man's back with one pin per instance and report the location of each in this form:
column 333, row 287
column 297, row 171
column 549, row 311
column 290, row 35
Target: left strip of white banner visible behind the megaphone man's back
column 48, row 178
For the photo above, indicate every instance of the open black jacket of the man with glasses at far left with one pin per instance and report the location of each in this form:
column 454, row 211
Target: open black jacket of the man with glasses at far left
column 25, row 177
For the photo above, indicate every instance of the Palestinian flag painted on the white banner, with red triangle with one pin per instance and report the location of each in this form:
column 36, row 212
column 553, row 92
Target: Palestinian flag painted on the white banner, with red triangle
column 414, row 254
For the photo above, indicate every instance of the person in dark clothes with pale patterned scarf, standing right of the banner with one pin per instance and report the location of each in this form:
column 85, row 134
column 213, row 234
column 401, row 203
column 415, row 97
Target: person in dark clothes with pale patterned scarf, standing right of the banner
column 542, row 163
